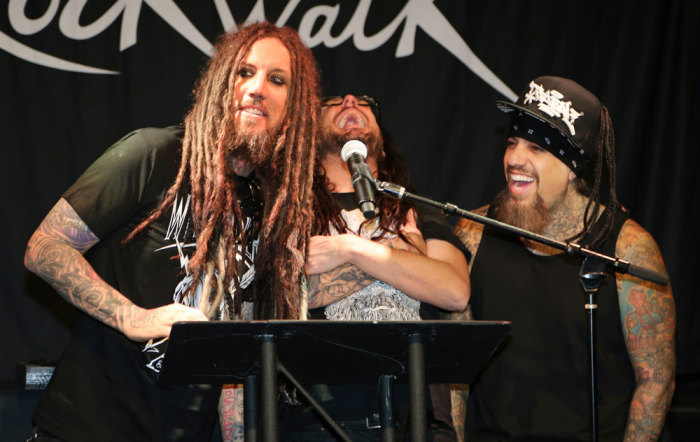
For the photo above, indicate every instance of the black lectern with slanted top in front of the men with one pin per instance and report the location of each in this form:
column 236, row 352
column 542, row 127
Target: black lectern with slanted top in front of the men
column 331, row 352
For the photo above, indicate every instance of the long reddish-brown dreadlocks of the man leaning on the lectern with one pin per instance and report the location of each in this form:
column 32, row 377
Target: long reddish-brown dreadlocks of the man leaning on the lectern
column 285, row 181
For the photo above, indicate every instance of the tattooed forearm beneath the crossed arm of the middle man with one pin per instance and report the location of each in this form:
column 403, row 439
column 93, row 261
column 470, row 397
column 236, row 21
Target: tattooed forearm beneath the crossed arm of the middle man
column 328, row 287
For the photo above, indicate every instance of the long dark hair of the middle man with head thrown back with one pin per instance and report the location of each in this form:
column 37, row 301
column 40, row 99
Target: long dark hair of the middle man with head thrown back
column 392, row 212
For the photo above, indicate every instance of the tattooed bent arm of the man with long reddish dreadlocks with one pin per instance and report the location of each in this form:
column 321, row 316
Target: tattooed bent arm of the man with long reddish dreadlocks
column 55, row 254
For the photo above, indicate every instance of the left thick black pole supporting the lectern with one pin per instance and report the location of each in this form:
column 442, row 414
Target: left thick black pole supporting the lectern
column 268, row 369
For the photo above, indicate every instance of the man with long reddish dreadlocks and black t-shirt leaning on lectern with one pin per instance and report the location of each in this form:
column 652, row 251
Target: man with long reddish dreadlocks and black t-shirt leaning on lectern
column 177, row 222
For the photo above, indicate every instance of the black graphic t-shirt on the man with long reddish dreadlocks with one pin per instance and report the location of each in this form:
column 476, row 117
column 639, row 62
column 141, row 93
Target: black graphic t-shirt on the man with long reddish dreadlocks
column 104, row 387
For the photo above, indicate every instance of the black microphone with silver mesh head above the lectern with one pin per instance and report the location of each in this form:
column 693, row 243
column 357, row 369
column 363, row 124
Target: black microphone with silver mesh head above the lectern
column 354, row 153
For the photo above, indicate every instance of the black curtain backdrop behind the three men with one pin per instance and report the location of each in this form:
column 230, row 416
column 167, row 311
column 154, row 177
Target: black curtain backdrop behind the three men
column 640, row 58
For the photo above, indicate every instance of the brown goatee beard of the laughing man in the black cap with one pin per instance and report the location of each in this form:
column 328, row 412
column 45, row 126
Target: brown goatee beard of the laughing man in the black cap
column 532, row 217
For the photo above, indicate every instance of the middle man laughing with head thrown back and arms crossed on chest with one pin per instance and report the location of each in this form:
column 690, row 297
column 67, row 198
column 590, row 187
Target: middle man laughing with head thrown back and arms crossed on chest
column 397, row 266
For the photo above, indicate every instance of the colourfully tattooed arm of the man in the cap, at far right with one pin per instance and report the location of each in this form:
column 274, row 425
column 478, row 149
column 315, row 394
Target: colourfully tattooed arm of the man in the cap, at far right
column 649, row 321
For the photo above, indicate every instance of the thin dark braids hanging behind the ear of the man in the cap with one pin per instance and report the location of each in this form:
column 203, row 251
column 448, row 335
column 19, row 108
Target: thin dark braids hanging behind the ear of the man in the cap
column 598, row 184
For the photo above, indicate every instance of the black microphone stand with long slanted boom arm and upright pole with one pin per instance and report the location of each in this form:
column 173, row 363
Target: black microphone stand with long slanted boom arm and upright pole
column 590, row 276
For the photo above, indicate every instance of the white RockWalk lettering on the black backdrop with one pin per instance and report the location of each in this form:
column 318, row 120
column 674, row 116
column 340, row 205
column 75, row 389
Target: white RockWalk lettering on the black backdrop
column 415, row 14
